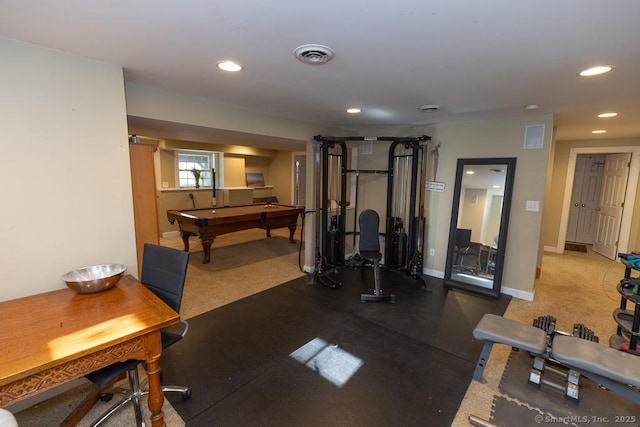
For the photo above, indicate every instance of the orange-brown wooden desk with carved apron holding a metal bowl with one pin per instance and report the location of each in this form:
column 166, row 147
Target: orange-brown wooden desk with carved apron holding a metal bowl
column 55, row 337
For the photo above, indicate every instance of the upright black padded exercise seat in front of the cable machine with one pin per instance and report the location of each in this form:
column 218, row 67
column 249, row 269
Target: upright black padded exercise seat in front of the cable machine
column 369, row 248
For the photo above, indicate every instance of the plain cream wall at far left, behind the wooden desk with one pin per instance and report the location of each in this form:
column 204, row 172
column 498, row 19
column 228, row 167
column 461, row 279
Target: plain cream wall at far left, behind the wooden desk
column 64, row 140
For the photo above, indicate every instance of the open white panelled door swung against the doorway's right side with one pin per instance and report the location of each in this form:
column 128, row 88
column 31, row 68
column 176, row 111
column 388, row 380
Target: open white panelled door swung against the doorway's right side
column 610, row 208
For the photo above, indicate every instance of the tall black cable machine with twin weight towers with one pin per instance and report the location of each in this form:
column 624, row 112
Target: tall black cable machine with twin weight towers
column 404, row 225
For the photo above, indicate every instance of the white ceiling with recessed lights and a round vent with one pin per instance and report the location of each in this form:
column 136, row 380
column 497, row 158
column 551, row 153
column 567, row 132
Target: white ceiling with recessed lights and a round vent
column 478, row 60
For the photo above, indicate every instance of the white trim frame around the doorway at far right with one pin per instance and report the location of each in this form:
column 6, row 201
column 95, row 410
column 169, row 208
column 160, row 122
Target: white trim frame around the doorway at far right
column 629, row 198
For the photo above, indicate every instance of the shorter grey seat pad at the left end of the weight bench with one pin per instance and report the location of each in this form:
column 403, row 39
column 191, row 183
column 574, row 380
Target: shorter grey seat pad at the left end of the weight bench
column 510, row 332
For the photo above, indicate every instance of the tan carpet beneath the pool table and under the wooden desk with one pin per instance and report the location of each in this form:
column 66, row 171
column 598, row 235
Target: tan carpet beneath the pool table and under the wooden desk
column 242, row 264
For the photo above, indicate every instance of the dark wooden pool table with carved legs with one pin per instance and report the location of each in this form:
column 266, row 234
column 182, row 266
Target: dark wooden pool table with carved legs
column 212, row 222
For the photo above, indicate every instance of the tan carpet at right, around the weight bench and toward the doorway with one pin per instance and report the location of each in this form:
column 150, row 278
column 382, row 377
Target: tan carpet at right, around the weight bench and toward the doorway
column 574, row 287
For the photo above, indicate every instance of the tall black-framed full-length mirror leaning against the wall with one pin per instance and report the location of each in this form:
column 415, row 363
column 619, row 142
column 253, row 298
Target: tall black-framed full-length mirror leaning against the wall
column 479, row 222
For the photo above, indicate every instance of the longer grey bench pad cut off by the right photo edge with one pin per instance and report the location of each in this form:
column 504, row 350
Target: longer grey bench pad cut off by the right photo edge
column 596, row 358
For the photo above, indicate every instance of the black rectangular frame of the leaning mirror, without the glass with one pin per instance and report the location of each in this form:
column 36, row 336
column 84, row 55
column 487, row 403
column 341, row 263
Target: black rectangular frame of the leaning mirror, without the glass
column 510, row 163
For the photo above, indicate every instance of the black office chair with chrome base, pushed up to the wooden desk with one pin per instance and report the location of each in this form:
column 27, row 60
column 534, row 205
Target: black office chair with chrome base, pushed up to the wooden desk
column 163, row 272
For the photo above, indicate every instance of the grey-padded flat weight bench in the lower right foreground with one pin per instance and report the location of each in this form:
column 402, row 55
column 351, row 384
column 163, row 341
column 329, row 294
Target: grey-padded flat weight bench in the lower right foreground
column 613, row 369
